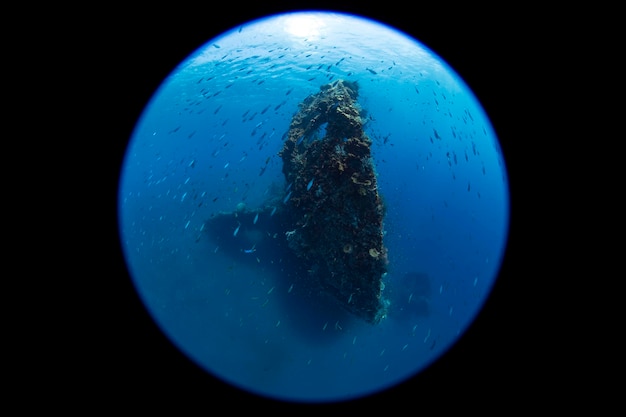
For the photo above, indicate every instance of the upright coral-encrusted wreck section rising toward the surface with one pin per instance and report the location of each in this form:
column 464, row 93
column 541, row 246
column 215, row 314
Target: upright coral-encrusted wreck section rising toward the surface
column 332, row 195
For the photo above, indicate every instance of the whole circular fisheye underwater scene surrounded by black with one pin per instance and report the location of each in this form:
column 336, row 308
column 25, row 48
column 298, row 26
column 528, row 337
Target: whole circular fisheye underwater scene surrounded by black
column 313, row 207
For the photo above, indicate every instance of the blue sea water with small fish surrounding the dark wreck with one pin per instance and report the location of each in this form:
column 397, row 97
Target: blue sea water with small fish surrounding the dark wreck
column 208, row 141
